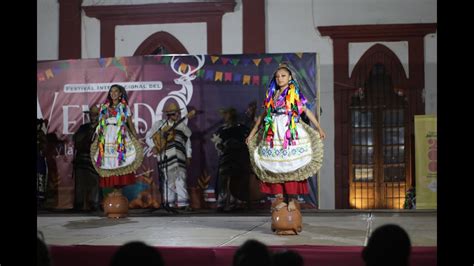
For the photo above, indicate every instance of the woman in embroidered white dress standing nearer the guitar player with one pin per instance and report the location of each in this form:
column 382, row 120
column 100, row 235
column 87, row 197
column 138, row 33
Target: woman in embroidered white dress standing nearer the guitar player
column 116, row 151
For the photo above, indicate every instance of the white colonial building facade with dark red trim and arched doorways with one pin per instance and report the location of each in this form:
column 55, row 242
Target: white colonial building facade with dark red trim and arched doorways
column 377, row 65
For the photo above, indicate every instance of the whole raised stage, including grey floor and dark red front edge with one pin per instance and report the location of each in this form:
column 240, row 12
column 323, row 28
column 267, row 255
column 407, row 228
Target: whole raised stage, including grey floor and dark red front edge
column 209, row 238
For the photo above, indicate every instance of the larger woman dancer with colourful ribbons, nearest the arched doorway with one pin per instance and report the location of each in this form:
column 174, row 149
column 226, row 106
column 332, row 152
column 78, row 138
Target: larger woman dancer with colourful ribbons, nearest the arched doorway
column 286, row 151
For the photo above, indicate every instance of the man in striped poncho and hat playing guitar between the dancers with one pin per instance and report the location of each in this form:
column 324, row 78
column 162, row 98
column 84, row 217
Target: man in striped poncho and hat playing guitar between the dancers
column 170, row 142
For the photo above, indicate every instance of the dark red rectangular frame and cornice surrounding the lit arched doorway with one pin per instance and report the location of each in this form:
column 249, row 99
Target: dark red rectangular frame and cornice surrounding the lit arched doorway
column 342, row 36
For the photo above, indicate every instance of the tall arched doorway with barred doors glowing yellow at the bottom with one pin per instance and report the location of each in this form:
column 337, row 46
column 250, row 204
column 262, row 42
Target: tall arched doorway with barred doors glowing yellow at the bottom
column 379, row 157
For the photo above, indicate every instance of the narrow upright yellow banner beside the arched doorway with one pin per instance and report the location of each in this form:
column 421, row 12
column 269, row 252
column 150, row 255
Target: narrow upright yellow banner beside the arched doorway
column 426, row 151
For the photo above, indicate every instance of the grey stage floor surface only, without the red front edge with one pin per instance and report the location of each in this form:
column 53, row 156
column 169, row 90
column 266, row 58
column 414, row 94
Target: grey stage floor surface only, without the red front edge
column 211, row 229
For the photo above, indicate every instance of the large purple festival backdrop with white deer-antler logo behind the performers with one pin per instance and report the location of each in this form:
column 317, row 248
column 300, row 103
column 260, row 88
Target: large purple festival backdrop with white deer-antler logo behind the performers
column 205, row 83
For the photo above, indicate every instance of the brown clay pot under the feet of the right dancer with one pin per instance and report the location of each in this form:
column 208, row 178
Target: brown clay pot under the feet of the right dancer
column 286, row 222
